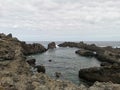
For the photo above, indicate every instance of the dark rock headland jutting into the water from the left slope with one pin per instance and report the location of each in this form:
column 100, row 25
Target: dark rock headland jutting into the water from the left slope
column 32, row 48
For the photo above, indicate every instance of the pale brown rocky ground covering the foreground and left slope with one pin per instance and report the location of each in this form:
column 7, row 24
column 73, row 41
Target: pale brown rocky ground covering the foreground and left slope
column 15, row 74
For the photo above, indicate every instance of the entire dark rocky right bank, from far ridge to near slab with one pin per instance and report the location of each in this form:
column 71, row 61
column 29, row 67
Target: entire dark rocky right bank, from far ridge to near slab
column 110, row 62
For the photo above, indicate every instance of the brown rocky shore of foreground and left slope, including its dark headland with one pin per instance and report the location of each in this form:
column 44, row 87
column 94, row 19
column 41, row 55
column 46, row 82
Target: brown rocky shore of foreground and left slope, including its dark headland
column 16, row 74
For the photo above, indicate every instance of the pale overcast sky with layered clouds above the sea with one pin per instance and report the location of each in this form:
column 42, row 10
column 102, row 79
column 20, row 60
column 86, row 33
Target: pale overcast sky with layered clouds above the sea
column 61, row 20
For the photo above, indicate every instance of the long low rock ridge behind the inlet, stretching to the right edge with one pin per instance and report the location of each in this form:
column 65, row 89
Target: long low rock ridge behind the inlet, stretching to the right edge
column 104, row 54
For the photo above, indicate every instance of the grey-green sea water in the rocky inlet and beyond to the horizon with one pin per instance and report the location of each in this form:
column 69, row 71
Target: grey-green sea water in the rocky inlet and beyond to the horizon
column 65, row 61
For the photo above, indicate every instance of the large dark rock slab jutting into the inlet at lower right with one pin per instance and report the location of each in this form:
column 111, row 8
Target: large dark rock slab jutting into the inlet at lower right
column 103, row 74
